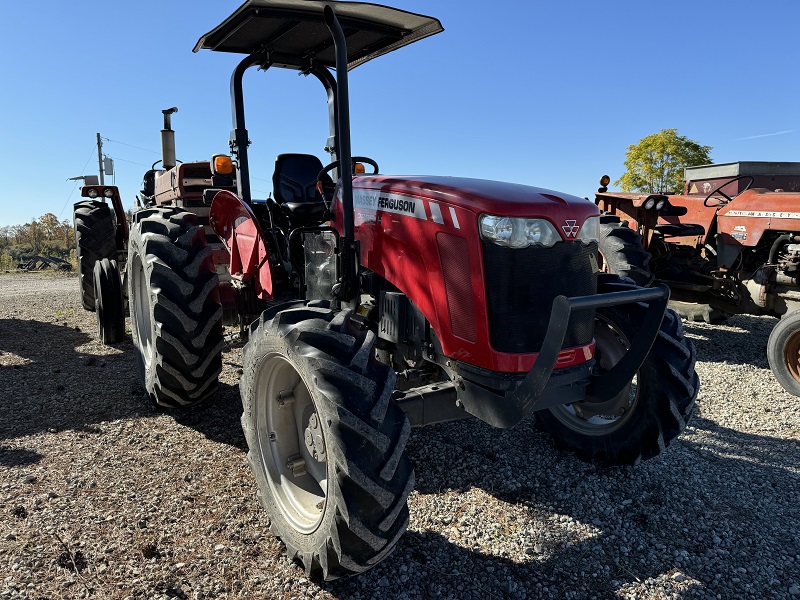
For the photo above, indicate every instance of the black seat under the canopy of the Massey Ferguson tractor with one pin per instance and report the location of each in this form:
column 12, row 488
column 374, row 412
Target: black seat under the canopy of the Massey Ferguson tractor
column 294, row 186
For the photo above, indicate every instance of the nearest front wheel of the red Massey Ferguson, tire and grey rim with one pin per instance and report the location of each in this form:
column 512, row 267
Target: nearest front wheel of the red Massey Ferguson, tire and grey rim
column 315, row 396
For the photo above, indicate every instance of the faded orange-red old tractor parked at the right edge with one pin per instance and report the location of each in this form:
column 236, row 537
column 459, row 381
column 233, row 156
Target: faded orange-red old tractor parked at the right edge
column 730, row 244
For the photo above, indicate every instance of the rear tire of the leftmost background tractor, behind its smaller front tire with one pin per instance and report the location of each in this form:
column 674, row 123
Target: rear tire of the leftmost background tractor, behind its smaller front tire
column 95, row 237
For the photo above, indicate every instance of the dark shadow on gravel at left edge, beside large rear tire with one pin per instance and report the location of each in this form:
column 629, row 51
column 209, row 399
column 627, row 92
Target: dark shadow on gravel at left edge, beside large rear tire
column 46, row 384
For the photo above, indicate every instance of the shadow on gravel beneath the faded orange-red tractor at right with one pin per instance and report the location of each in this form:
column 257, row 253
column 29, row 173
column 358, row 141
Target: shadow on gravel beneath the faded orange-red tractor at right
column 742, row 339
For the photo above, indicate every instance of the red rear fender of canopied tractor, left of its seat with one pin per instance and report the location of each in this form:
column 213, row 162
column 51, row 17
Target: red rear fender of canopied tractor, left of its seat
column 238, row 228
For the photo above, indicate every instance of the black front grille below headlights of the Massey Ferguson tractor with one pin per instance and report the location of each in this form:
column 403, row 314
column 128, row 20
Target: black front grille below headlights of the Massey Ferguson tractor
column 521, row 284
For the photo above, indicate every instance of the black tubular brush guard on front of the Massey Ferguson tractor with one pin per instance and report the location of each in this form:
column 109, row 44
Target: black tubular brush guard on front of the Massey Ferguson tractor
column 508, row 408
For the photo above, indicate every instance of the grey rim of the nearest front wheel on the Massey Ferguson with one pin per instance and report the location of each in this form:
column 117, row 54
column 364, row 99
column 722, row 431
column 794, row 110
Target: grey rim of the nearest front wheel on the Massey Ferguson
column 291, row 443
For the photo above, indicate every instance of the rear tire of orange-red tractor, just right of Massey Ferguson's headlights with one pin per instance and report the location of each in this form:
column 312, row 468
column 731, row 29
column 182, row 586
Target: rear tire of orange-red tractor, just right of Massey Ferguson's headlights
column 622, row 252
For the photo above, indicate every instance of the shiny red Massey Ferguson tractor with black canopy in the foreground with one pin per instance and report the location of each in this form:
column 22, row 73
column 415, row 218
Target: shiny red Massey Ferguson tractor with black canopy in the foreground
column 374, row 303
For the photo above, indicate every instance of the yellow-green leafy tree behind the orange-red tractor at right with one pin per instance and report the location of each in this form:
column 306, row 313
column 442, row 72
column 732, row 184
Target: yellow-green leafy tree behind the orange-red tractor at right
column 656, row 163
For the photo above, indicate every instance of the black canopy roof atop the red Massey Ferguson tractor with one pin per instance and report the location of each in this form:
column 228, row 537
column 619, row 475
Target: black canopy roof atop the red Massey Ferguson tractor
column 294, row 35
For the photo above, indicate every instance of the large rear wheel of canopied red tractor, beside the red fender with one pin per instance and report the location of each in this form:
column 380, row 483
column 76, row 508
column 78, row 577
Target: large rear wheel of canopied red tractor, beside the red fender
column 176, row 314
